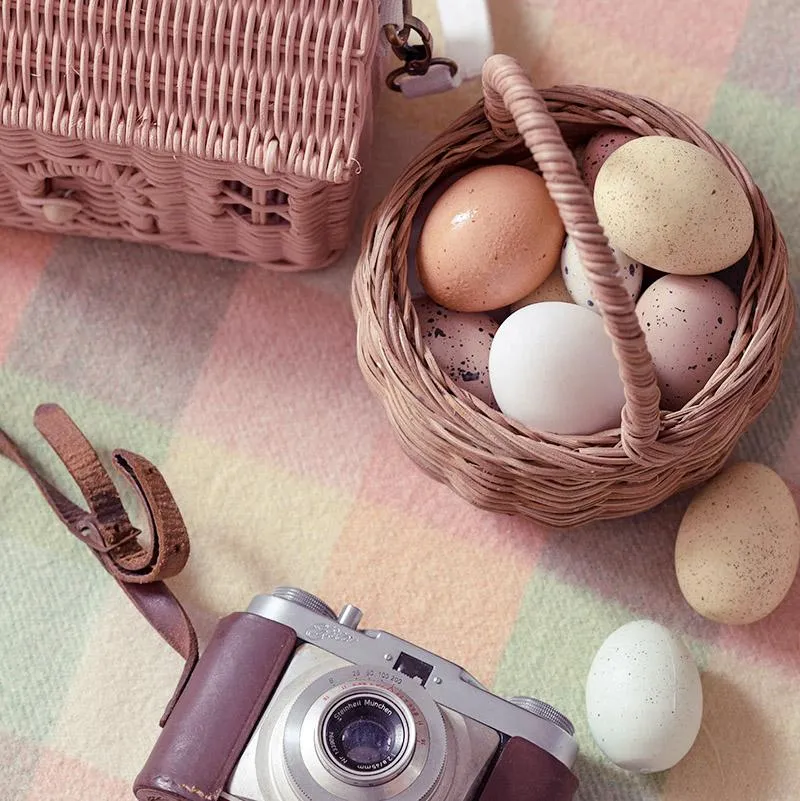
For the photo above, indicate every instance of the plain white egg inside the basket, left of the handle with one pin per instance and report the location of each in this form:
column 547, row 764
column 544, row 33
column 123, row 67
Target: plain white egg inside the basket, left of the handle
column 552, row 368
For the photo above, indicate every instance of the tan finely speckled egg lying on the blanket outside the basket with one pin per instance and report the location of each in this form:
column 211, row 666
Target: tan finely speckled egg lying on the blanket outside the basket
column 738, row 546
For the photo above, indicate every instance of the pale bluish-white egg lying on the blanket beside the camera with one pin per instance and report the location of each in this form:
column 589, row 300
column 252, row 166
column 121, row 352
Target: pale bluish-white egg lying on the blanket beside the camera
column 644, row 700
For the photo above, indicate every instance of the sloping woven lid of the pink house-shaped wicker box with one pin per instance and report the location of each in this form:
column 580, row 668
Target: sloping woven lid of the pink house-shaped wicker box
column 282, row 85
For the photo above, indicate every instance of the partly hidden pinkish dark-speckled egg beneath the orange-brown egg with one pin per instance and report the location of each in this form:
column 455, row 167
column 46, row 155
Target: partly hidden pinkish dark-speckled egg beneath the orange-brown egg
column 460, row 344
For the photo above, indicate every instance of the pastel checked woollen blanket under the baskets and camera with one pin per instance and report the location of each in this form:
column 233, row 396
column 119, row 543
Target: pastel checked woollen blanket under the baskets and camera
column 241, row 385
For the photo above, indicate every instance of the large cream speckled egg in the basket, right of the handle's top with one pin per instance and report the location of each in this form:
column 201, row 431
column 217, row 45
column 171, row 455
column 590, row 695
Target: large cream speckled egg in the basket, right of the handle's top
column 673, row 206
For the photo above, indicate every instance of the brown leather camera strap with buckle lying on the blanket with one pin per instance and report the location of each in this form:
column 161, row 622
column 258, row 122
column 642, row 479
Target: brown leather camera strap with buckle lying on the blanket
column 108, row 531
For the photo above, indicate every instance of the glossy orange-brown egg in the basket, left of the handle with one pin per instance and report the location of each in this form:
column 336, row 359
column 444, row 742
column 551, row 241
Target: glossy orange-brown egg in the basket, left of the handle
column 492, row 238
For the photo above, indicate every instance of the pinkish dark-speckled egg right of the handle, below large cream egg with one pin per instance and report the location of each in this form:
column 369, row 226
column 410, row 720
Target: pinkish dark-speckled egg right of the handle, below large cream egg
column 688, row 324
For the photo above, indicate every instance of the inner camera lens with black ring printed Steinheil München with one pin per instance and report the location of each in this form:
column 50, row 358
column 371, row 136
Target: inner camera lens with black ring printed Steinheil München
column 365, row 733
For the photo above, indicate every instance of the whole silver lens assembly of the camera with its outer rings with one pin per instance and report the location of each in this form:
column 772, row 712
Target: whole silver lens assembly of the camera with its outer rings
column 360, row 732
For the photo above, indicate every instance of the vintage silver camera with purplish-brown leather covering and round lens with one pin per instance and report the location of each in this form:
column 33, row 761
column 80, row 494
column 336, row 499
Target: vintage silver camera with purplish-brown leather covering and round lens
column 291, row 702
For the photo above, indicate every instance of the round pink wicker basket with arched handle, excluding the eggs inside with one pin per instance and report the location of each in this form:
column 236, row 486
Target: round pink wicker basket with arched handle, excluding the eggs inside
column 489, row 459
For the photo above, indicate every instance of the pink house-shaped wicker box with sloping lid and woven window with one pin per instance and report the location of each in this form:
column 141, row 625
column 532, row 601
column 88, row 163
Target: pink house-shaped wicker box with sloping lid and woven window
column 228, row 127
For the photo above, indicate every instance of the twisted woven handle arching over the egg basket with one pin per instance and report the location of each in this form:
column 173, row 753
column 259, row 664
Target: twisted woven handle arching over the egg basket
column 512, row 105
